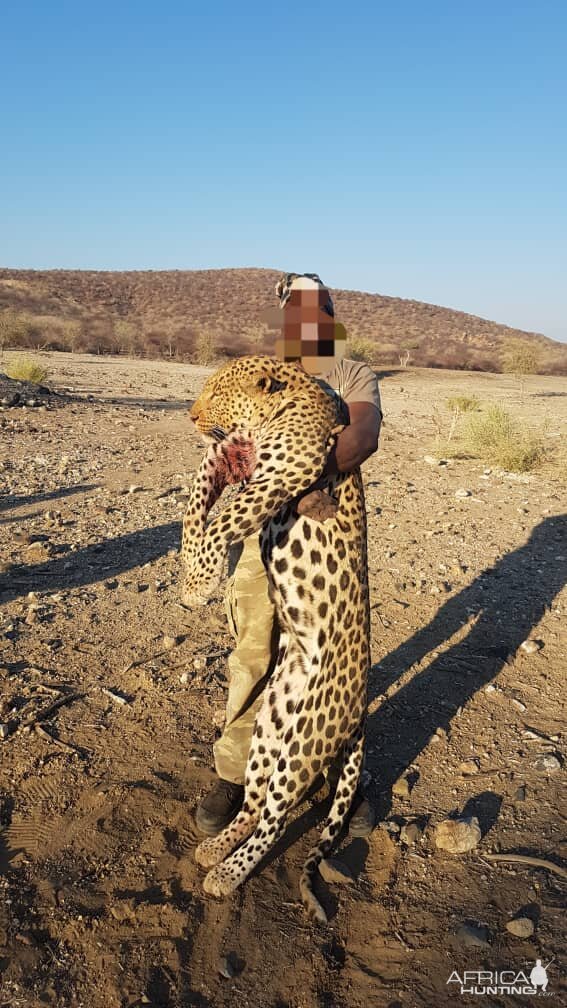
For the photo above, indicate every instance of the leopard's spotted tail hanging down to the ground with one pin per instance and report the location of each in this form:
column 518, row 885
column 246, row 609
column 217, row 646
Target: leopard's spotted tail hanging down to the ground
column 353, row 766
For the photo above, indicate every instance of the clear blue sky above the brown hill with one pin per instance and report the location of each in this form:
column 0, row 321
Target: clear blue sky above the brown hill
column 416, row 150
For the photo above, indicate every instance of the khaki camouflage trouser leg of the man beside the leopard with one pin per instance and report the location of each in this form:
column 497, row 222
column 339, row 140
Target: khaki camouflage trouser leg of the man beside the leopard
column 252, row 618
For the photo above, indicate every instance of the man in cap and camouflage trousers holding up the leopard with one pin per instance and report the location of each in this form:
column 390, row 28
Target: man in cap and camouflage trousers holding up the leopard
column 304, row 302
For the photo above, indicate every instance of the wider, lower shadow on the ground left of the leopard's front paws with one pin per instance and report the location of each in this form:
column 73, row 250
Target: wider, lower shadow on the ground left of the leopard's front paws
column 93, row 564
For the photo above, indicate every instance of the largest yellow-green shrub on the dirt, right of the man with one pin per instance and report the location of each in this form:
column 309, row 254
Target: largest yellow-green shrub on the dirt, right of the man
column 496, row 437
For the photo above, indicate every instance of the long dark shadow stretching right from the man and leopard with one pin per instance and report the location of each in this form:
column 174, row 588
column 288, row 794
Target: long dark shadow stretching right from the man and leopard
column 501, row 607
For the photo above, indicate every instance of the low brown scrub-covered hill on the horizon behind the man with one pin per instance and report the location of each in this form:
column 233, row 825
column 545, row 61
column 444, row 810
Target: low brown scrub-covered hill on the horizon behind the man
column 200, row 315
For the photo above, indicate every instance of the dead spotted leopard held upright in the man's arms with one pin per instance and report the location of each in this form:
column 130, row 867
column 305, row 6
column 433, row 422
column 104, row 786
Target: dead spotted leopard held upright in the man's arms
column 269, row 428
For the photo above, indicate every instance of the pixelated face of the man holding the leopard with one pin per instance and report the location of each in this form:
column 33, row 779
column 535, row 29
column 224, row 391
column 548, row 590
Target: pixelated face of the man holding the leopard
column 307, row 334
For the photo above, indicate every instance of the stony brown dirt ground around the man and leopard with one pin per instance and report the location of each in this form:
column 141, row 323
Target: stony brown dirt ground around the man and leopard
column 102, row 904
